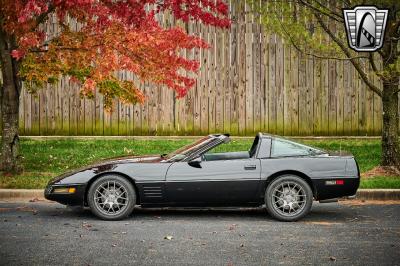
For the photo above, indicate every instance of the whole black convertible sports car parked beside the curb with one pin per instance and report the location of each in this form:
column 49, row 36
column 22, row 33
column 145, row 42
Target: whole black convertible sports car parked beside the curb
column 284, row 175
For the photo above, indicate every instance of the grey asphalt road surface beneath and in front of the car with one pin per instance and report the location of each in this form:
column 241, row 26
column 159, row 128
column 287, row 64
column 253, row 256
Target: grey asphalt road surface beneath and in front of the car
column 42, row 233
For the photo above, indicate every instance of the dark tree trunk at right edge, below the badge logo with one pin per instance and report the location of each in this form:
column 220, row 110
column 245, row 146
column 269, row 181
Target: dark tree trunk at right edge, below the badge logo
column 390, row 131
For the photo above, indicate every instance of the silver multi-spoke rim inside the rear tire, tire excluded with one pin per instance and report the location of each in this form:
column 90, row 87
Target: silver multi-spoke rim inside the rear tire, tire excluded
column 289, row 198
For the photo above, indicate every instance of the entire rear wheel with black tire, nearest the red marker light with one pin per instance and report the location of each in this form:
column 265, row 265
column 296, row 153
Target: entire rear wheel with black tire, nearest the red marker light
column 288, row 198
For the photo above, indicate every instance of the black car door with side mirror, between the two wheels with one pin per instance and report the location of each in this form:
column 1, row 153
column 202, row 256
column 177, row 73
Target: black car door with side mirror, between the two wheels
column 209, row 183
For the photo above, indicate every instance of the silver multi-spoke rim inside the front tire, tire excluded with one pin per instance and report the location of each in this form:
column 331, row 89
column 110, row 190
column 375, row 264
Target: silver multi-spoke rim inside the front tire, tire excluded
column 111, row 197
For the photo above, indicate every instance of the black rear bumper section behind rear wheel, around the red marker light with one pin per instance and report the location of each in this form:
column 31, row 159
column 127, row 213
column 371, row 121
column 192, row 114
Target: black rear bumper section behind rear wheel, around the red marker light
column 326, row 191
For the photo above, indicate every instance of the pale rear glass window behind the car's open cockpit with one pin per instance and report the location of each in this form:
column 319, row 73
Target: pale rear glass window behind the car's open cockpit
column 282, row 148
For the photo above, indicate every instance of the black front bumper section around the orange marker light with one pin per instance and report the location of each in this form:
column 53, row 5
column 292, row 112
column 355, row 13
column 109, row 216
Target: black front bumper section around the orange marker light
column 73, row 199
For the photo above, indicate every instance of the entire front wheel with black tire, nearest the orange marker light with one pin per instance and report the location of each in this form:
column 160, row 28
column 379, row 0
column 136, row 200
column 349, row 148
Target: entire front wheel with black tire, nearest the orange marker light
column 111, row 197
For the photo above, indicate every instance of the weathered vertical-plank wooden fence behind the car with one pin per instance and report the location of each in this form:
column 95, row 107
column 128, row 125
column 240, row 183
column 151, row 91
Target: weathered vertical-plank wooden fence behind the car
column 249, row 82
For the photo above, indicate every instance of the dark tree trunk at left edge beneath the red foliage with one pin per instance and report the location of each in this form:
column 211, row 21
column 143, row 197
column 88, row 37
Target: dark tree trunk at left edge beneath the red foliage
column 10, row 107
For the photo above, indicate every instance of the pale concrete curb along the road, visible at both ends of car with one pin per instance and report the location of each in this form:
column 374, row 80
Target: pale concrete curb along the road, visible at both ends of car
column 17, row 195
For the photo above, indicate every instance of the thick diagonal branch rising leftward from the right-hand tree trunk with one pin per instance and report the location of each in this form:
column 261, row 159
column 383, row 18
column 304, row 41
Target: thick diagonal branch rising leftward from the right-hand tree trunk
column 346, row 51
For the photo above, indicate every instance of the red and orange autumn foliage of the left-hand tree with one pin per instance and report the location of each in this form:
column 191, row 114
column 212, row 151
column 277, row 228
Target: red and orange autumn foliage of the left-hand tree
column 112, row 35
